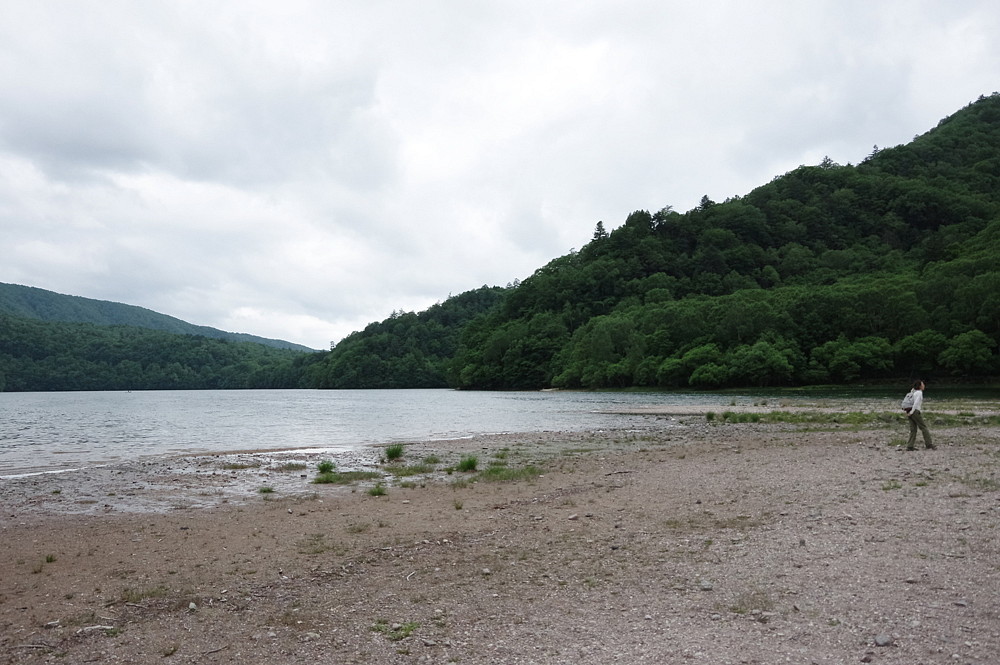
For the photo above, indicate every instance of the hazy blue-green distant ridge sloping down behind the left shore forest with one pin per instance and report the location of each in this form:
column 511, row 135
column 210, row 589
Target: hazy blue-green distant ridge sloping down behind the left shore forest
column 35, row 303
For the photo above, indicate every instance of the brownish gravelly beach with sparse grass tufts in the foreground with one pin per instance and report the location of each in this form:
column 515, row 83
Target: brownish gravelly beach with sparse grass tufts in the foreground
column 680, row 539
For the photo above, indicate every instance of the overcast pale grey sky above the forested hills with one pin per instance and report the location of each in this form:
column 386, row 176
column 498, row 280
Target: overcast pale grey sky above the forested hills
column 300, row 169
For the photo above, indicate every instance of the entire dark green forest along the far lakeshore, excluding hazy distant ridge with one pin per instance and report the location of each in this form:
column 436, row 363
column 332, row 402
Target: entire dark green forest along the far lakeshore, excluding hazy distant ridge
column 828, row 274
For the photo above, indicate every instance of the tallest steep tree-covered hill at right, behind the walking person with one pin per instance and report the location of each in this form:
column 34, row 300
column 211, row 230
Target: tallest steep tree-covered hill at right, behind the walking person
column 829, row 273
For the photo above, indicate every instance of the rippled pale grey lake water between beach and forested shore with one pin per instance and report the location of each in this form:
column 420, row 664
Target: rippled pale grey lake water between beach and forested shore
column 71, row 430
